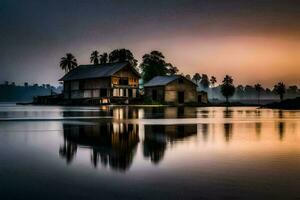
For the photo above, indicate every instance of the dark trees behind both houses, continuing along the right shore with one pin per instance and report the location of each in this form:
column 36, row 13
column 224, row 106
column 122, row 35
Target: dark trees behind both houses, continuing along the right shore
column 154, row 64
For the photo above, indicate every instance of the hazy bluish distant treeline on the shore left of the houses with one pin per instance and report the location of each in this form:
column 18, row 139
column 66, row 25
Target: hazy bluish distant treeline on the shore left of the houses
column 10, row 92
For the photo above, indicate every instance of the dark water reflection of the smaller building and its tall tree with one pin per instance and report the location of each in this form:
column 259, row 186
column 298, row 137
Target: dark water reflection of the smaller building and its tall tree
column 157, row 138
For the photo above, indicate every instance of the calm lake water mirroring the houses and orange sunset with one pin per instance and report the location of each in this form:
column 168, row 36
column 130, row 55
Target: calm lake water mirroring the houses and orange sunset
column 148, row 153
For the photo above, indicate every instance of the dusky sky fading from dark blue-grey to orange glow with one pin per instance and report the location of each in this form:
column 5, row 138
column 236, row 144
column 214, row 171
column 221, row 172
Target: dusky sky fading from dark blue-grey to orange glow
column 255, row 41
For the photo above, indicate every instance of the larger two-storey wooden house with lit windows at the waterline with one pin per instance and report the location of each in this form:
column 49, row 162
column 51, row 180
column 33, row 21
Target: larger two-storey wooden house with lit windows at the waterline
column 105, row 83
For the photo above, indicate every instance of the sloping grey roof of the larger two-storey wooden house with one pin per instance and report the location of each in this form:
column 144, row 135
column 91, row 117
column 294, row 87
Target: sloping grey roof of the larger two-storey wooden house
column 95, row 71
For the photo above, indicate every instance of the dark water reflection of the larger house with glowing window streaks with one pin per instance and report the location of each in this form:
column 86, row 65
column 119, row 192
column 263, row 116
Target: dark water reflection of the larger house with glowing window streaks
column 111, row 144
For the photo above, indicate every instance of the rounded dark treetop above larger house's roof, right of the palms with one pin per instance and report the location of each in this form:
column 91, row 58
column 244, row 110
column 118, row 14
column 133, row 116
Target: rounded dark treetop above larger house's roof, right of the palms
column 122, row 55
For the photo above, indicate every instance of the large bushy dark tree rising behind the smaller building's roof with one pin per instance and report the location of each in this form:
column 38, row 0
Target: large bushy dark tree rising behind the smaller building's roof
column 154, row 64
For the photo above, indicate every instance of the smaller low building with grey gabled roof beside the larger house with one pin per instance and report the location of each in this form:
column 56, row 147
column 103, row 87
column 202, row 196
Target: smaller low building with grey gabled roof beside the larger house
column 175, row 89
